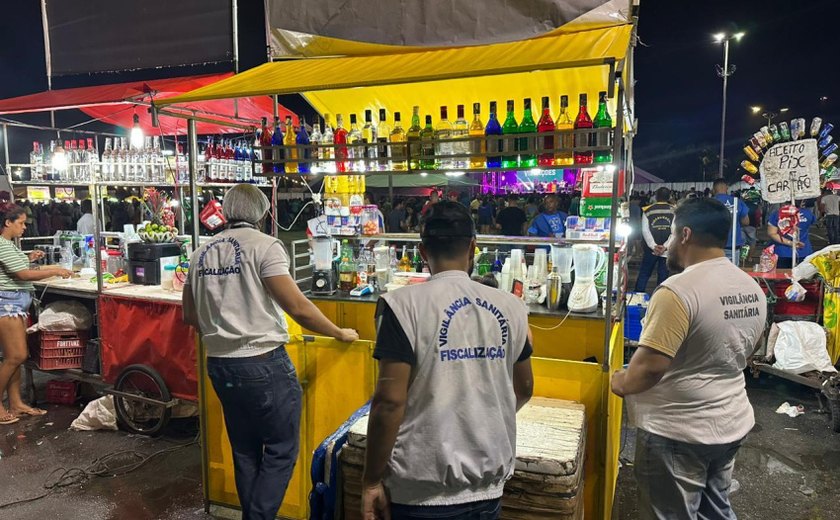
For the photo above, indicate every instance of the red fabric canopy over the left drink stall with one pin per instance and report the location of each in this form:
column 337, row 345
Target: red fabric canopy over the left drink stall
column 116, row 104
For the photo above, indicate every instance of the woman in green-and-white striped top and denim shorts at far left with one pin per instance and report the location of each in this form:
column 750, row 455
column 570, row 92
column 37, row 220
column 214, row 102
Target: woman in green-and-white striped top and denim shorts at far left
column 16, row 277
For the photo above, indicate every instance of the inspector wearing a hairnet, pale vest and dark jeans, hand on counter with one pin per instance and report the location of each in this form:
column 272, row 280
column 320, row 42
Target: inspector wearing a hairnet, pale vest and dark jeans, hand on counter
column 237, row 292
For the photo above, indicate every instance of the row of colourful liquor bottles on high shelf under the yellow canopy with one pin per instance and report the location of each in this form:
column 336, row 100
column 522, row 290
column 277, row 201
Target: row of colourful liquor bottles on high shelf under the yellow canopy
column 448, row 145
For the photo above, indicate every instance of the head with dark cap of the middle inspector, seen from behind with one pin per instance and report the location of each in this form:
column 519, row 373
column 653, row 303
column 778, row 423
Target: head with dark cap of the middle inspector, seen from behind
column 447, row 230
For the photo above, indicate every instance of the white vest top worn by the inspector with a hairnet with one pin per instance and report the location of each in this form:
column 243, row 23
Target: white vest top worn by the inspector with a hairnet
column 236, row 314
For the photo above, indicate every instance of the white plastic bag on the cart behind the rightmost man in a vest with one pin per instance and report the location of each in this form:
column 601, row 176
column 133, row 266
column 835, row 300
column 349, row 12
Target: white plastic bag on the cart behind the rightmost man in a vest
column 800, row 347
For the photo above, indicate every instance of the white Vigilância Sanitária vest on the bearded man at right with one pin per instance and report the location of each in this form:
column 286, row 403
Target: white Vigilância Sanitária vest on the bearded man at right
column 702, row 398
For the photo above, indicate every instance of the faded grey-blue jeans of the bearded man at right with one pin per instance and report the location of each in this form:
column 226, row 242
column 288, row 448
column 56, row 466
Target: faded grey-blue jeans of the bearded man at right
column 682, row 481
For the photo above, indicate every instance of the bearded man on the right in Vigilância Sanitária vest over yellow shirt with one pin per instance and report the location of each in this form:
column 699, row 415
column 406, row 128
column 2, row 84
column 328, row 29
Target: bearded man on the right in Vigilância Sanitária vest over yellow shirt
column 685, row 385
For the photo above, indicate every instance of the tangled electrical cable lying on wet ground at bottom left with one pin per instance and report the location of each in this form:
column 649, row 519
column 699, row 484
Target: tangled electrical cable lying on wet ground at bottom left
column 100, row 467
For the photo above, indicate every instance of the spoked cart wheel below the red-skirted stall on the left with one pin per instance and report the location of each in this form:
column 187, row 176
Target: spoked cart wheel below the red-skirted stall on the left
column 139, row 416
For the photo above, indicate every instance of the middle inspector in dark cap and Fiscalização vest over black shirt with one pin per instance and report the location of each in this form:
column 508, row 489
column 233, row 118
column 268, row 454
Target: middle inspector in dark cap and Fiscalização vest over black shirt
column 454, row 368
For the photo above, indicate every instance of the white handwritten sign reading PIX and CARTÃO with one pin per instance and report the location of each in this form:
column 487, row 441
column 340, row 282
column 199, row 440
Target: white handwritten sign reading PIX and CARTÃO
column 790, row 170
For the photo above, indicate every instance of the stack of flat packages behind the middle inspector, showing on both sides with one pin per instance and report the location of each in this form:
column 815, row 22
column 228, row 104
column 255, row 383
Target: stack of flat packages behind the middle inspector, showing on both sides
column 547, row 481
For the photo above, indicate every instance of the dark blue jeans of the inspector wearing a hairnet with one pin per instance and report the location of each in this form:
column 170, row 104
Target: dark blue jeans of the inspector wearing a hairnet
column 261, row 399
